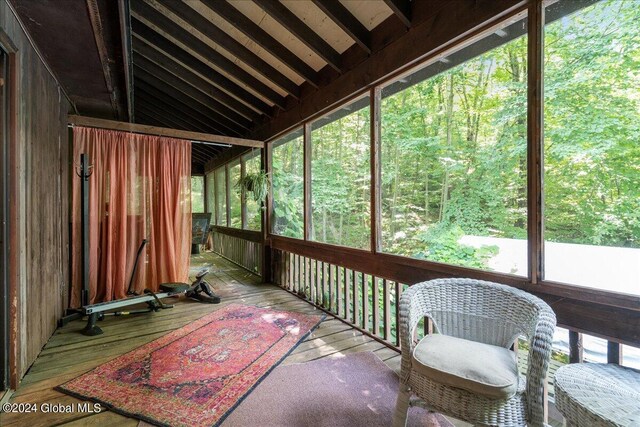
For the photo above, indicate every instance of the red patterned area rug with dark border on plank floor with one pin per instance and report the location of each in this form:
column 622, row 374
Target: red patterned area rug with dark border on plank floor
column 196, row 375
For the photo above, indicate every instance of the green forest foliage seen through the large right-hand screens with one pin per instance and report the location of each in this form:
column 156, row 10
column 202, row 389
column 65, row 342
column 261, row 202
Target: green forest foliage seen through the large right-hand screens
column 454, row 150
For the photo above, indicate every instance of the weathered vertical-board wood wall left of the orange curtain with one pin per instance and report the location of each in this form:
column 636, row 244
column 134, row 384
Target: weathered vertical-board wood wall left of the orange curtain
column 39, row 149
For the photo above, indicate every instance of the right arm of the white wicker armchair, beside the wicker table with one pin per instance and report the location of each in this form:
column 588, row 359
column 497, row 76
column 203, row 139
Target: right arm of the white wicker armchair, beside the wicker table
column 540, row 346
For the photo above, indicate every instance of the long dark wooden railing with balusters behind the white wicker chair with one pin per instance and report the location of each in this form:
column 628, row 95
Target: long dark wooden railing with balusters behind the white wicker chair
column 362, row 288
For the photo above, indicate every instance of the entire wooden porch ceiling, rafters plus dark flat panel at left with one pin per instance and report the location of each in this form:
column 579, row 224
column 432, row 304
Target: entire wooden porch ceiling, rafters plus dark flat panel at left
column 214, row 66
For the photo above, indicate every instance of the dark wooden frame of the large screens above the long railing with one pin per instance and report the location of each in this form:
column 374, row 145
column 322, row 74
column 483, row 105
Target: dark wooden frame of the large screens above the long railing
column 534, row 281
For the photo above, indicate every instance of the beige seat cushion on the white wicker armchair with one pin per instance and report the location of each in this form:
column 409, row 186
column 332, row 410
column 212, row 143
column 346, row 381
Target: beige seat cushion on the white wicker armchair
column 480, row 368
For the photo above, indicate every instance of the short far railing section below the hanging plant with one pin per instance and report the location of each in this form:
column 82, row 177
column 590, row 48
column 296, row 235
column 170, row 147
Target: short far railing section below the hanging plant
column 242, row 247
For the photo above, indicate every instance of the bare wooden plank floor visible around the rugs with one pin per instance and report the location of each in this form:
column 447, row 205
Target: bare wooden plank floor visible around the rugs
column 69, row 353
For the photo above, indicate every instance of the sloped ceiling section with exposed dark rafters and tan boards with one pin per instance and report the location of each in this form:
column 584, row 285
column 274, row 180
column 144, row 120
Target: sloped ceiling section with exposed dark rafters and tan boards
column 226, row 66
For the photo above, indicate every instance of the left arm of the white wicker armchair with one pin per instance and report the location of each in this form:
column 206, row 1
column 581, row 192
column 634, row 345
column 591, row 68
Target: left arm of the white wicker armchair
column 412, row 310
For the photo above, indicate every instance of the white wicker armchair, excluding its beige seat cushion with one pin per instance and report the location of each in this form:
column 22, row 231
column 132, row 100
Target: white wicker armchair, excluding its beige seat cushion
column 484, row 312
